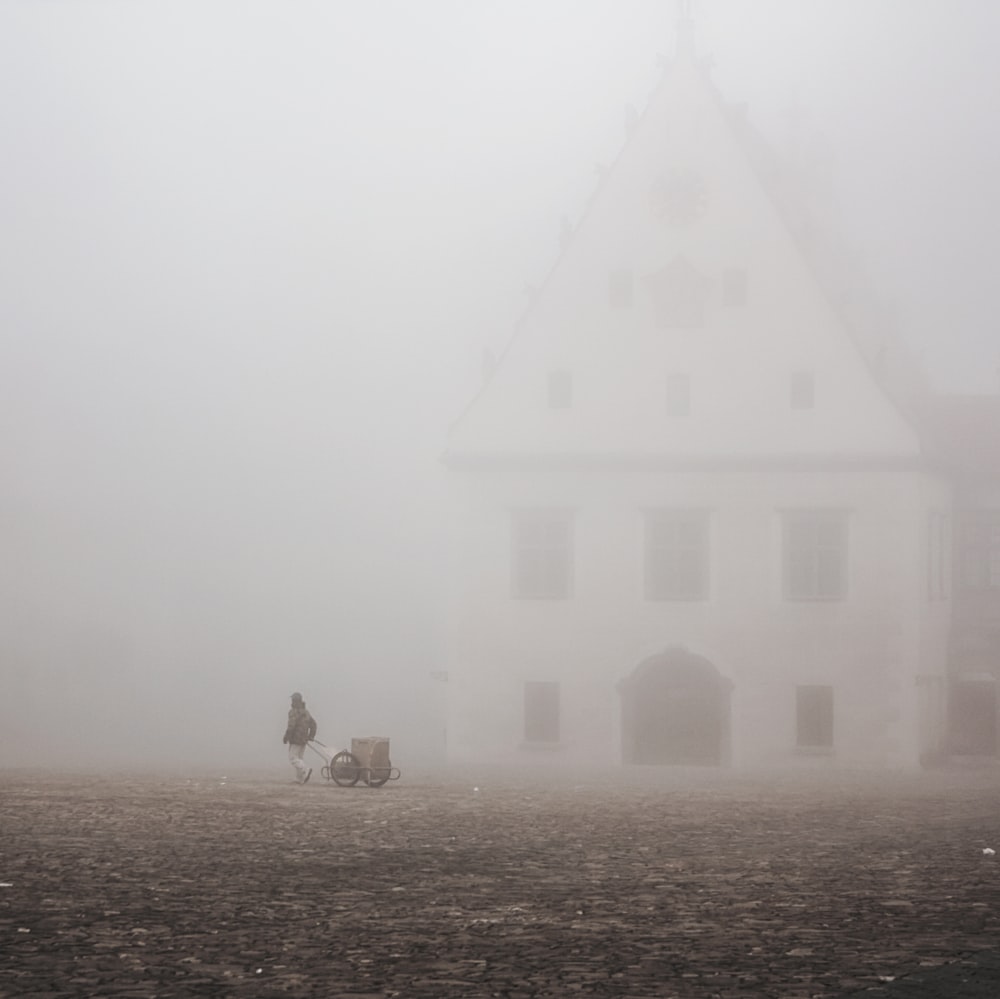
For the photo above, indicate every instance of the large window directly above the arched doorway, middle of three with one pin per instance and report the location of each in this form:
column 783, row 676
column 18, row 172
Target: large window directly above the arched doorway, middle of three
column 676, row 555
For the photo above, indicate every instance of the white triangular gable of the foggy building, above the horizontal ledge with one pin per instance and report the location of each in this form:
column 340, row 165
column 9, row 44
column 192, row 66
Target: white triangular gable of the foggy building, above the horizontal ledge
column 681, row 217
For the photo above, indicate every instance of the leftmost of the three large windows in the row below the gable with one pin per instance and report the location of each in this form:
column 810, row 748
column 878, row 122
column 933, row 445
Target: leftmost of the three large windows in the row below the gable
column 542, row 555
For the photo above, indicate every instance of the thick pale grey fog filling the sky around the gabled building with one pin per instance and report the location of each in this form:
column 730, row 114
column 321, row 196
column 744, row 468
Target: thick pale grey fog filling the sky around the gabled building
column 252, row 255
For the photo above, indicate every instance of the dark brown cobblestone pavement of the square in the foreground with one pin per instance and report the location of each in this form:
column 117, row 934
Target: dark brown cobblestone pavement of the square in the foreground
column 643, row 882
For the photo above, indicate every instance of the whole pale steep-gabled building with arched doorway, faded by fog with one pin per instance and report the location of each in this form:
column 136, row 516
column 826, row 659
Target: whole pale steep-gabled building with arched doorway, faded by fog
column 698, row 518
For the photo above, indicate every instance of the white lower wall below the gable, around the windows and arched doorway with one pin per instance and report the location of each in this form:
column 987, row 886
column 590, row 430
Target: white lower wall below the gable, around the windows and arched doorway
column 870, row 646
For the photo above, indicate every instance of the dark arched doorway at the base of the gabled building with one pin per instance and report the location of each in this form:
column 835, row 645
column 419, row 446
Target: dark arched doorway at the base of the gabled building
column 675, row 710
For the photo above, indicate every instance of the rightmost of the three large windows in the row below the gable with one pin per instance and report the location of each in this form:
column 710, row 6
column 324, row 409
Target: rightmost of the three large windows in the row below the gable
column 815, row 555
